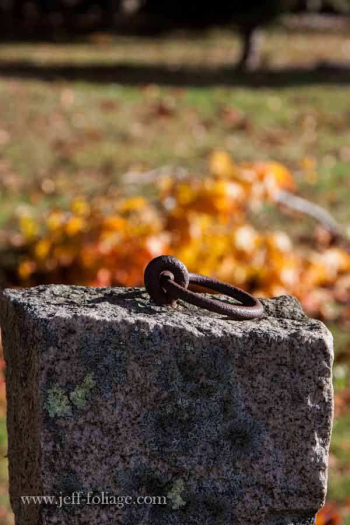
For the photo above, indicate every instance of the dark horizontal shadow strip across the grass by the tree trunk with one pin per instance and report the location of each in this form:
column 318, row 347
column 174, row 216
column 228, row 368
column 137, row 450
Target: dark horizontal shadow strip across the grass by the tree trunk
column 138, row 74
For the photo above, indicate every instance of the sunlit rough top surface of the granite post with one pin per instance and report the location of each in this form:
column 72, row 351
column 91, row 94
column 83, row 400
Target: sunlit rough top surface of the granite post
column 132, row 305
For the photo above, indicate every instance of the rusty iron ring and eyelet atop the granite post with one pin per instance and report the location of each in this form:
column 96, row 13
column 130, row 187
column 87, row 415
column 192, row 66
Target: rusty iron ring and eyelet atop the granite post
column 167, row 279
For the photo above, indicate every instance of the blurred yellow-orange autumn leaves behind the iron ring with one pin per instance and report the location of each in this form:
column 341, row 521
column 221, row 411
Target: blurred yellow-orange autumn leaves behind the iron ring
column 204, row 221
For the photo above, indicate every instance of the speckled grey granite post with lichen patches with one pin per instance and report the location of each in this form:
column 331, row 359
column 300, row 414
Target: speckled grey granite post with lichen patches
column 107, row 392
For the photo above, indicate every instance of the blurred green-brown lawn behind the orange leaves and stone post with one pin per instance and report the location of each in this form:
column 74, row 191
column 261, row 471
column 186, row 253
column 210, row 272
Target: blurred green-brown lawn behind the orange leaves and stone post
column 75, row 118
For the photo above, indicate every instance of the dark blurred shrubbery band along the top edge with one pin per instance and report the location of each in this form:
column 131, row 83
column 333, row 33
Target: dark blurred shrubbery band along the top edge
column 154, row 15
